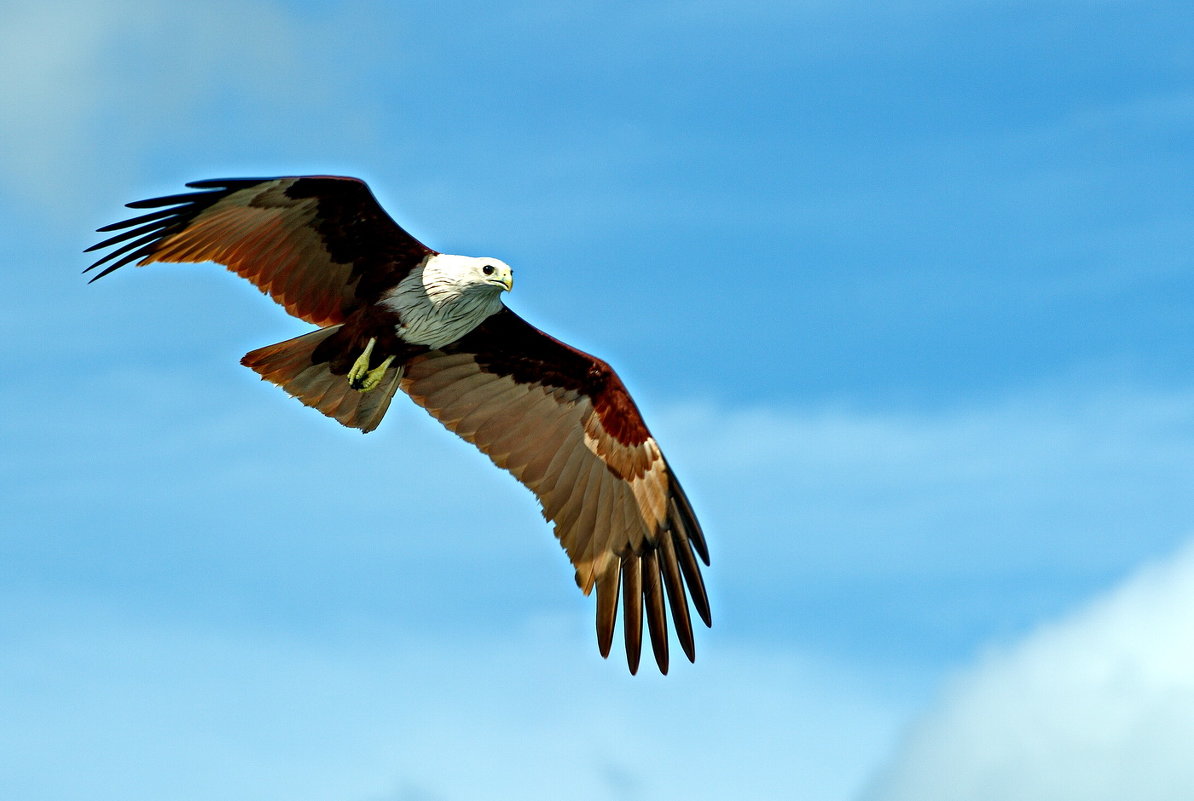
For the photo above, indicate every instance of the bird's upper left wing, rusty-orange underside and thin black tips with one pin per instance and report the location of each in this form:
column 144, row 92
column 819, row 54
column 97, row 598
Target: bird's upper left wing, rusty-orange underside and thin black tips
column 317, row 245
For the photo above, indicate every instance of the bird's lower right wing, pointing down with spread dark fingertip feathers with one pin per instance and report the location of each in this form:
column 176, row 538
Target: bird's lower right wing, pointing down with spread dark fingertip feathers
column 563, row 423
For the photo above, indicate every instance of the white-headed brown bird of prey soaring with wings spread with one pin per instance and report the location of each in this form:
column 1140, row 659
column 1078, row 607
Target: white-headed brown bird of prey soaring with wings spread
column 395, row 315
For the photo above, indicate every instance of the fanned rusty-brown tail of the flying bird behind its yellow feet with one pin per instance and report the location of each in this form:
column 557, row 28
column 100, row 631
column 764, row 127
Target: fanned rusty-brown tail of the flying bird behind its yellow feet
column 291, row 365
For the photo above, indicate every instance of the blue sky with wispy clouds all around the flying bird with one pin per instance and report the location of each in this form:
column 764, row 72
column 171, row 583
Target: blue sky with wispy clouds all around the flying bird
column 906, row 293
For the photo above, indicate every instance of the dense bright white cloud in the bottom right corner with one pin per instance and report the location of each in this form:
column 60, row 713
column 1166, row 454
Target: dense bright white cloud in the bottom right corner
column 1097, row 707
